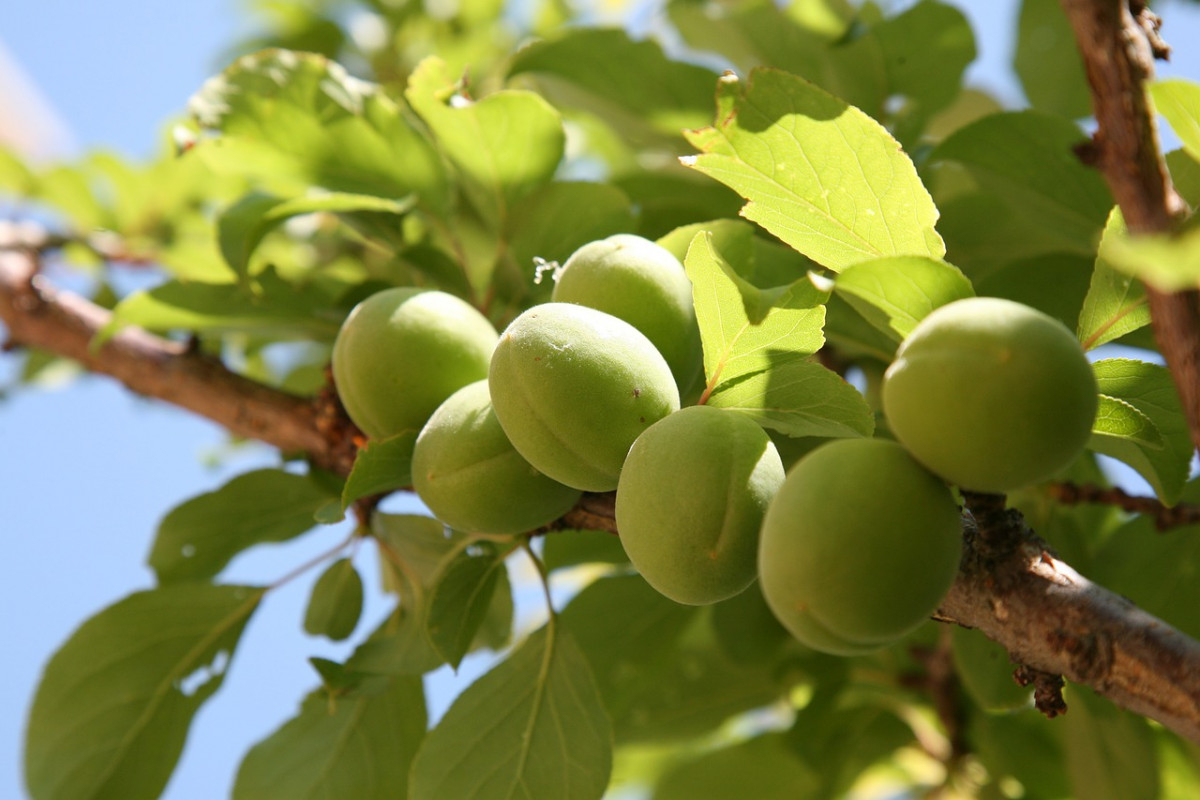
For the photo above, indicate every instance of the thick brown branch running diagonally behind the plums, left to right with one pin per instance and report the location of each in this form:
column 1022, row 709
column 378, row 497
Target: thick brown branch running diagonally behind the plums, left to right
column 1010, row 587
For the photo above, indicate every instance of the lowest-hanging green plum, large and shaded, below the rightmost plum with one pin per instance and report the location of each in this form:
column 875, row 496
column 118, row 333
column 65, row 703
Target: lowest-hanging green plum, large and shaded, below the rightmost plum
column 859, row 548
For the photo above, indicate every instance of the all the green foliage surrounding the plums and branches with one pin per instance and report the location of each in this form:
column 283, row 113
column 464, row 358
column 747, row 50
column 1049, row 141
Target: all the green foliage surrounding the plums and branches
column 872, row 187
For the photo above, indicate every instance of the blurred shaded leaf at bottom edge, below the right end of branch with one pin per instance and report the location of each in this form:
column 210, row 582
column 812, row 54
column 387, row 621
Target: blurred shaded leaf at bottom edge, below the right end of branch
column 1111, row 753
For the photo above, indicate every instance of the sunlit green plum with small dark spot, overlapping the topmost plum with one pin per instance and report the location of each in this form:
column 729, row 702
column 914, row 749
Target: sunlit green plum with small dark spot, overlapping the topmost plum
column 573, row 389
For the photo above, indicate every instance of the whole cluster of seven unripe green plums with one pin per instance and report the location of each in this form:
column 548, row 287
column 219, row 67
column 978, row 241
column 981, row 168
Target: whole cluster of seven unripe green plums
column 854, row 546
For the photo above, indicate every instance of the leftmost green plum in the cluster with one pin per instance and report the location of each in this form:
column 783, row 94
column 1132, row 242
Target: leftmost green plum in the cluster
column 404, row 351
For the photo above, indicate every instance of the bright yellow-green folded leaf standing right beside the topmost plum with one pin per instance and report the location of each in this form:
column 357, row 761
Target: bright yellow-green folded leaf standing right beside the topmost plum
column 742, row 329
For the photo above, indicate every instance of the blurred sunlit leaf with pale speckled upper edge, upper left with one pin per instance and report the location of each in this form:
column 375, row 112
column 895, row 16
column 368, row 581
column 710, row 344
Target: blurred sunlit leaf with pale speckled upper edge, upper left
column 299, row 121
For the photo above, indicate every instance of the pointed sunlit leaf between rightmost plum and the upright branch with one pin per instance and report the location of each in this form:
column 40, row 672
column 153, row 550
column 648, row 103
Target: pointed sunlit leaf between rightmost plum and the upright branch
column 1117, row 303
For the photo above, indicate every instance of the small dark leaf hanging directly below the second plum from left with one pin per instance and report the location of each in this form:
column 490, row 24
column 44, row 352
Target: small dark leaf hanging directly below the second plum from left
column 461, row 598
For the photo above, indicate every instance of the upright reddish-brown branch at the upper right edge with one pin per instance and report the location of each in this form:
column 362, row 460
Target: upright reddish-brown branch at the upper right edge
column 1119, row 43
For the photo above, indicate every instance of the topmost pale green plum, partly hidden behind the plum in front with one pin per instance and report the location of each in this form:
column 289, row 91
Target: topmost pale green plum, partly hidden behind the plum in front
column 645, row 285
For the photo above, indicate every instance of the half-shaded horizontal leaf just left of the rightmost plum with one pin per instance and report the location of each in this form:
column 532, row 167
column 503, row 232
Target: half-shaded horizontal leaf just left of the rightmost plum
column 800, row 399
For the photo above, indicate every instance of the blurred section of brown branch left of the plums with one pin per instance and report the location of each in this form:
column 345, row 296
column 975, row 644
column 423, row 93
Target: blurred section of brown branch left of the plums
column 63, row 323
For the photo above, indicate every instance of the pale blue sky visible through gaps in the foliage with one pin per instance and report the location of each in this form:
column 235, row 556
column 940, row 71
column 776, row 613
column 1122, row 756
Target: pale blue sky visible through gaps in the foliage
column 88, row 471
